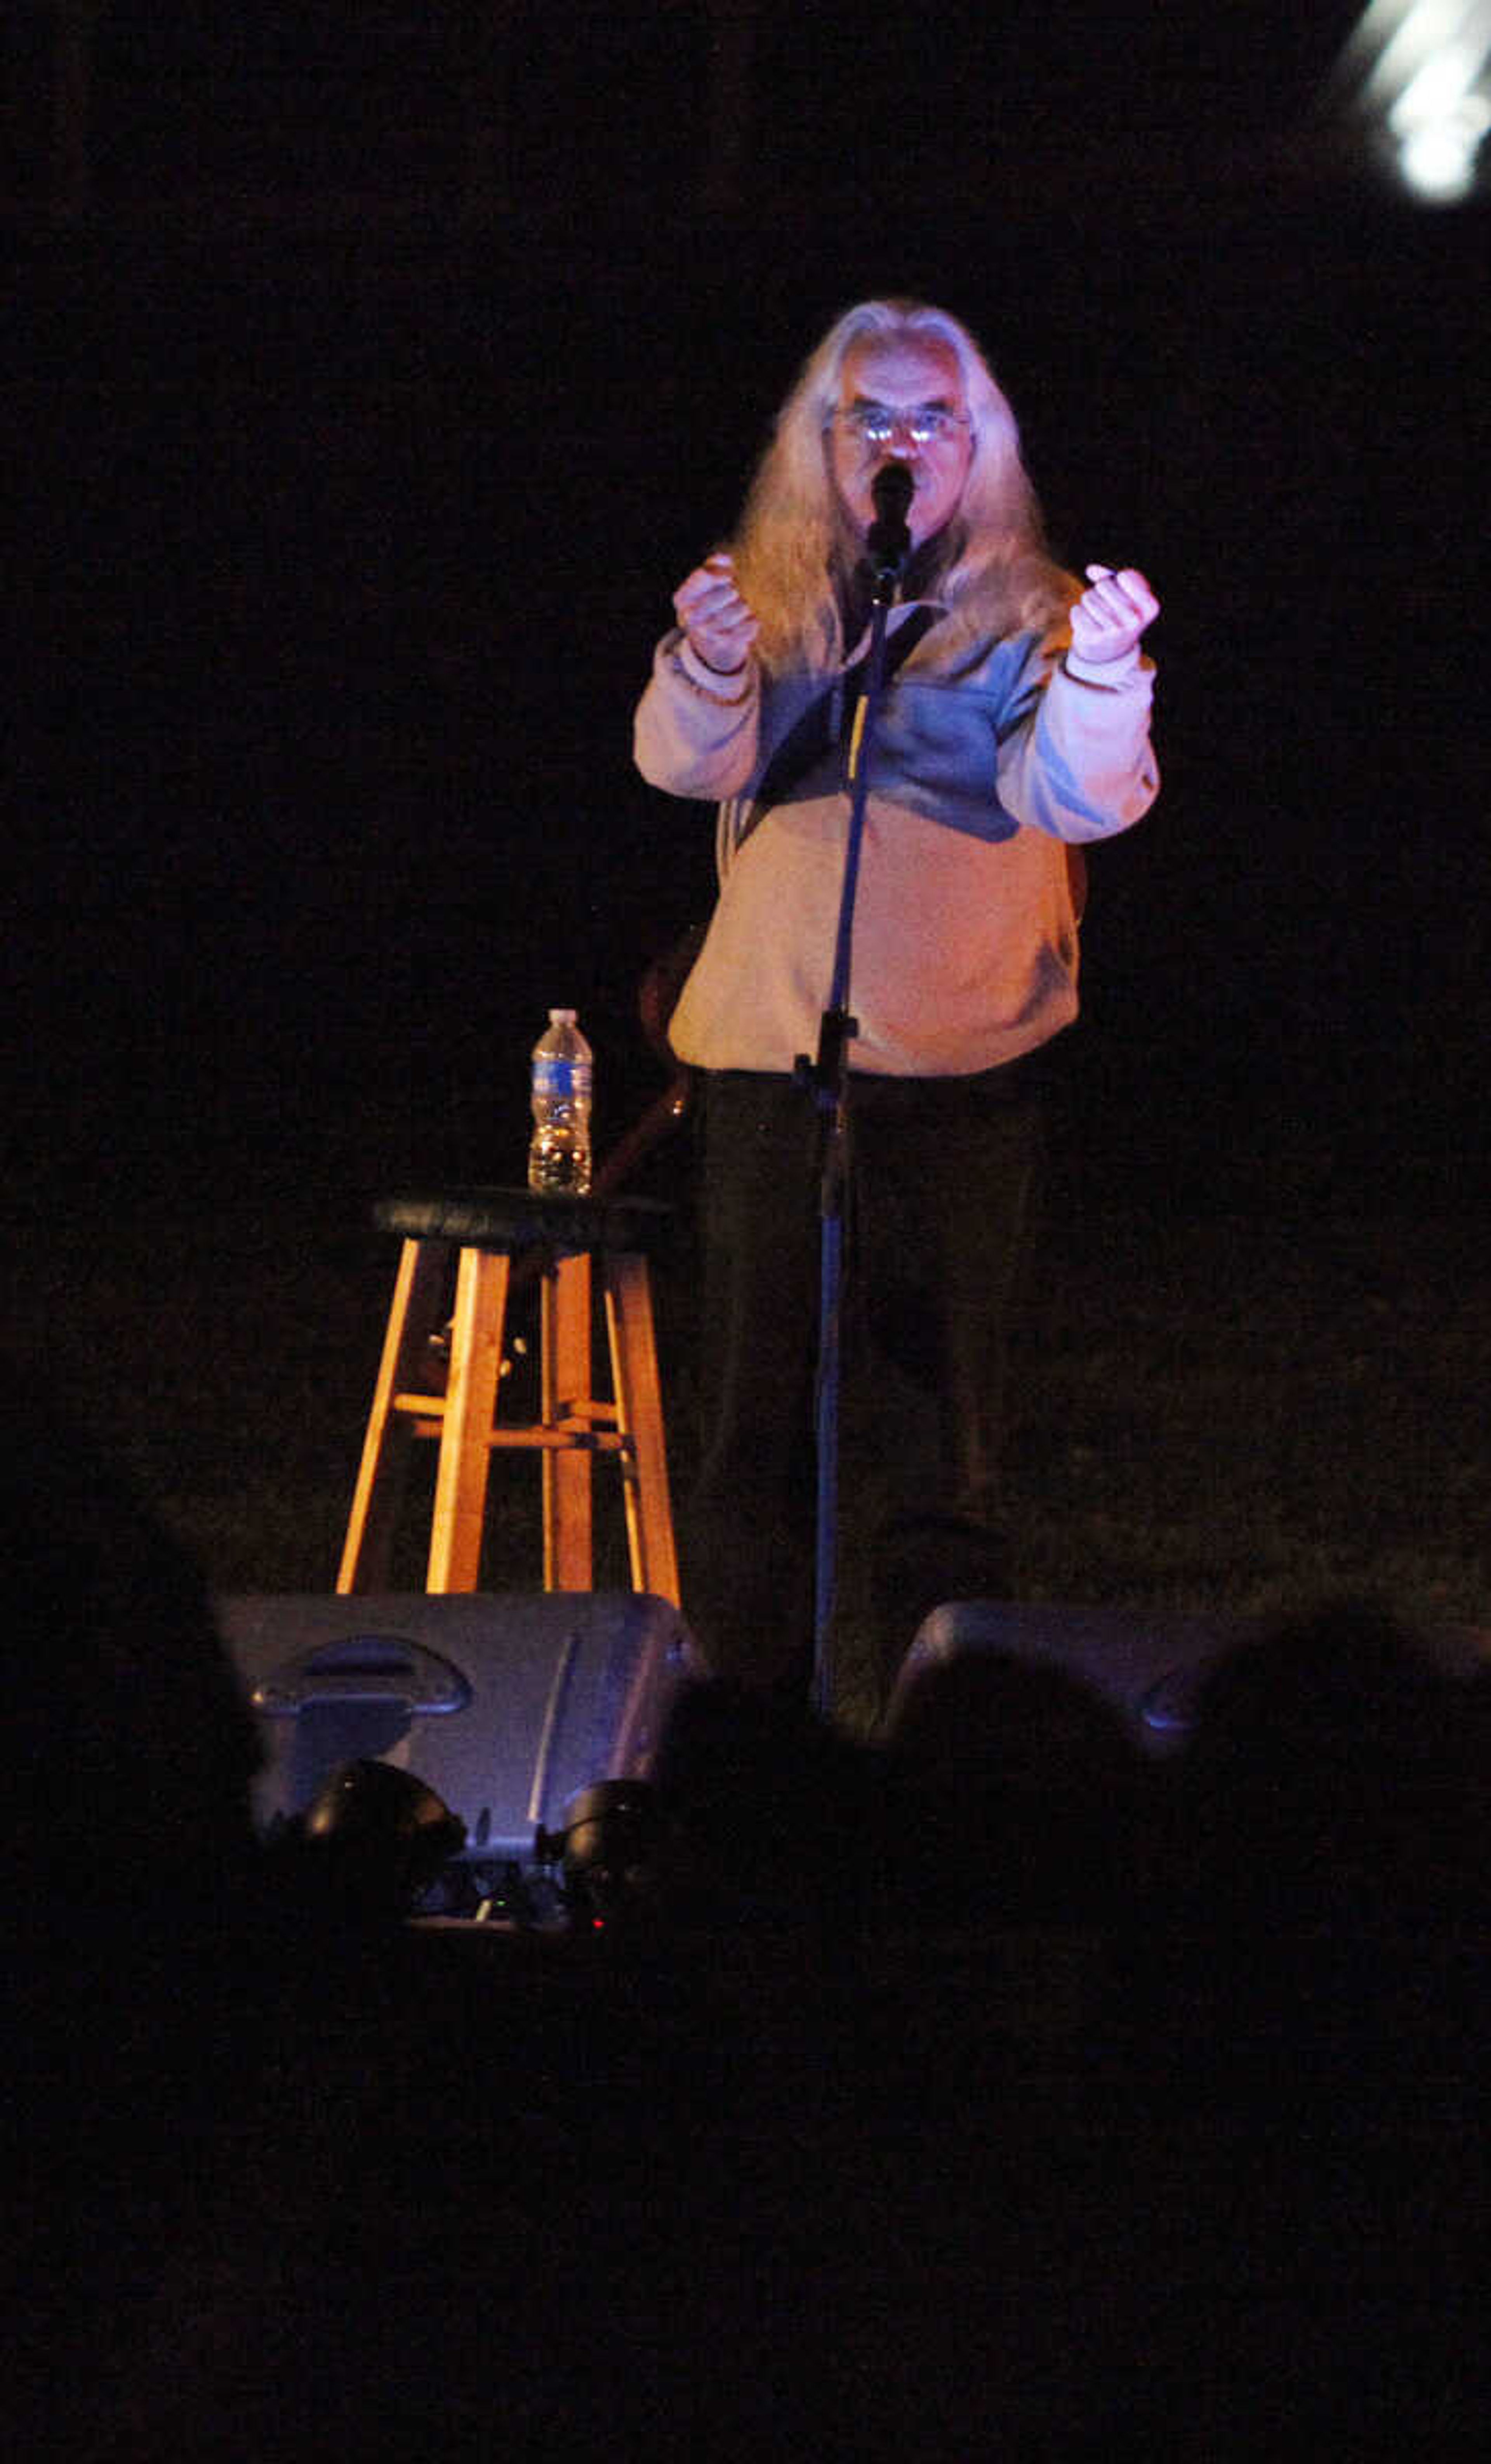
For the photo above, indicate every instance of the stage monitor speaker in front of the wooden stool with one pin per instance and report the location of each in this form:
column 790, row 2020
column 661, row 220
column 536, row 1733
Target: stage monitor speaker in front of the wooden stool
column 504, row 1704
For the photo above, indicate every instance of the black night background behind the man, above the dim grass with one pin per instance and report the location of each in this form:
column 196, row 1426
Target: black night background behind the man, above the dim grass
column 381, row 371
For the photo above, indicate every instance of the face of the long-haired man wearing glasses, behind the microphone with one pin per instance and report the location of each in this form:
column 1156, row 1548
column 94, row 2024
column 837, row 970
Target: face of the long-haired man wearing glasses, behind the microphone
column 901, row 378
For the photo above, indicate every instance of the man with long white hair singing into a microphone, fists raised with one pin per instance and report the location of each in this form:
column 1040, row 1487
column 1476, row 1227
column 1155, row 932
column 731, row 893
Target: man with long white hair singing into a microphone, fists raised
column 1012, row 731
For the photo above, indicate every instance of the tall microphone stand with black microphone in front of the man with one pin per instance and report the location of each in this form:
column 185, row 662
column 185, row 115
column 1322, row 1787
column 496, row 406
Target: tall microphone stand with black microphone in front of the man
column 827, row 1076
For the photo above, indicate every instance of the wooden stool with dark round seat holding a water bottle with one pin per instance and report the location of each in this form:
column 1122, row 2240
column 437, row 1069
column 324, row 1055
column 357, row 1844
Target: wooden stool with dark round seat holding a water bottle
column 492, row 1231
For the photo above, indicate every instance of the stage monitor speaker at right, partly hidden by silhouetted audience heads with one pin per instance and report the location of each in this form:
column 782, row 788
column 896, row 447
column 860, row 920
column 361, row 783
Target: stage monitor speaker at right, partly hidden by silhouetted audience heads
column 1147, row 1667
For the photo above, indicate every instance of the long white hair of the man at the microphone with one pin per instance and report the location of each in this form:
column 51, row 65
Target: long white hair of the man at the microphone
column 795, row 541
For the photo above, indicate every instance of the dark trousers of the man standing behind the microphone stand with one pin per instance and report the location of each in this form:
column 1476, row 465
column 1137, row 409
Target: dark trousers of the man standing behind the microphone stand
column 940, row 1199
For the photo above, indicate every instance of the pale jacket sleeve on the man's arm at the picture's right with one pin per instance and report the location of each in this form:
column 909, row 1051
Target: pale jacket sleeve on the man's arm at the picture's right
column 1076, row 758
